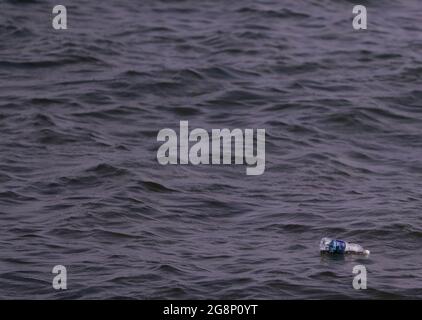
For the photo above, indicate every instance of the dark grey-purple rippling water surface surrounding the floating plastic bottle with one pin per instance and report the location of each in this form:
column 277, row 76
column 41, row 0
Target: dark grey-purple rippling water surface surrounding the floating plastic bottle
column 80, row 184
